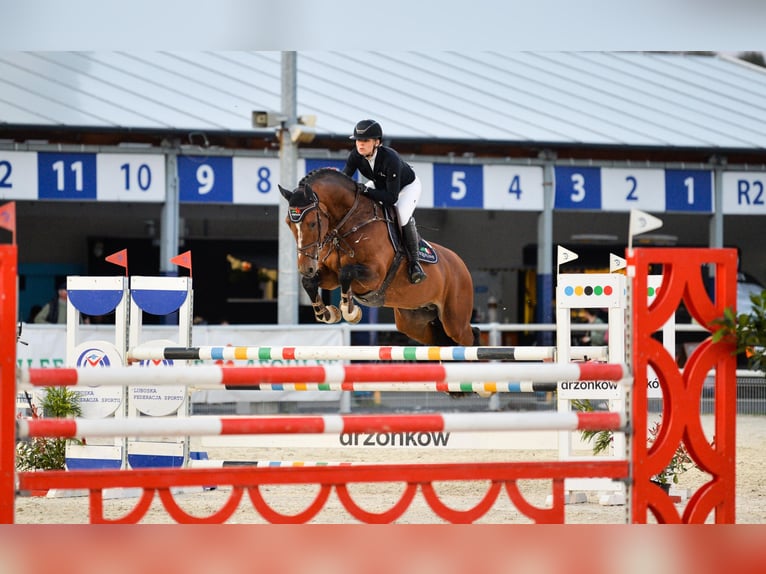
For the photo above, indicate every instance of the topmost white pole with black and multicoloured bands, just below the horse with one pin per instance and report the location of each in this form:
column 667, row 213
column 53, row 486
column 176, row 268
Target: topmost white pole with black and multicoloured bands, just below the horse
column 360, row 353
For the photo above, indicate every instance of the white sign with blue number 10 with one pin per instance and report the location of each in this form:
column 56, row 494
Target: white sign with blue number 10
column 131, row 177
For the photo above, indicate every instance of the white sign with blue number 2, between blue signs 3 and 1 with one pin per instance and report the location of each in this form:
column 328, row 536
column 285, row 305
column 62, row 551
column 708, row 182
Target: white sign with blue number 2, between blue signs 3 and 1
column 623, row 189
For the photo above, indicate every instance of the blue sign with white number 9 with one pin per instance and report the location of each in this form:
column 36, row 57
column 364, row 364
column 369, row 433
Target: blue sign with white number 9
column 205, row 179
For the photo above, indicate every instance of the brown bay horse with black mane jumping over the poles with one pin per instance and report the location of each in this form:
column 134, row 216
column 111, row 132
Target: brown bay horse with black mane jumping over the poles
column 343, row 240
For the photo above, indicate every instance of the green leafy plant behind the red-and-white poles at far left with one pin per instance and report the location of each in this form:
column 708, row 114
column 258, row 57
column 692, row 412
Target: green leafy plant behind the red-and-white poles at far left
column 44, row 453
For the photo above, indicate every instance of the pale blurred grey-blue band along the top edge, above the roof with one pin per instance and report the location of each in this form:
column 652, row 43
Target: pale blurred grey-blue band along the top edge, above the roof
column 734, row 25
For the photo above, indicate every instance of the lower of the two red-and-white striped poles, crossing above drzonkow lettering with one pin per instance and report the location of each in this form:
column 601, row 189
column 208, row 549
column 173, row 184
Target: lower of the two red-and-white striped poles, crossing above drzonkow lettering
column 323, row 424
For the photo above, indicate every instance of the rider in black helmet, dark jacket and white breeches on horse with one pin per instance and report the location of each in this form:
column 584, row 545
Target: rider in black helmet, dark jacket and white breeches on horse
column 392, row 182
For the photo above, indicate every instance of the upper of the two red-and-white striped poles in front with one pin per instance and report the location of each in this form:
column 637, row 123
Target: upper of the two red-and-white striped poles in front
column 214, row 375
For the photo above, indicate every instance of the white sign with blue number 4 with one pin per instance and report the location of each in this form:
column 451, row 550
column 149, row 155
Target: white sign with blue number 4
column 513, row 188
